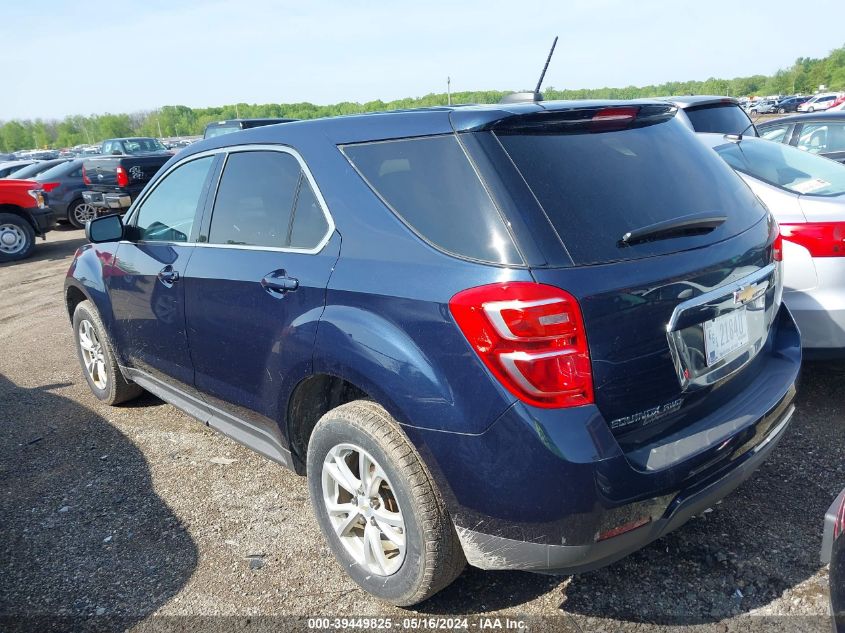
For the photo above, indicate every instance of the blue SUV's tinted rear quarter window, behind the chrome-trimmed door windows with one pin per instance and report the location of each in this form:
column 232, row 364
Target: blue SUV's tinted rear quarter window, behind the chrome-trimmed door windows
column 431, row 185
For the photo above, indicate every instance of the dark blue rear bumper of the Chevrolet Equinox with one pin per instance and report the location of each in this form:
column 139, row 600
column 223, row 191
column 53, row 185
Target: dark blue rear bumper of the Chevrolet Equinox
column 553, row 491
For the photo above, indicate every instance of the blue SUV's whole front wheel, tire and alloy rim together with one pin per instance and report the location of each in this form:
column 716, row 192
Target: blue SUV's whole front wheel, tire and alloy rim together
column 97, row 358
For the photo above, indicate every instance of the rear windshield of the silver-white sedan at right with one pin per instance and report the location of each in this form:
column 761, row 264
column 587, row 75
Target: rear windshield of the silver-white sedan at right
column 786, row 167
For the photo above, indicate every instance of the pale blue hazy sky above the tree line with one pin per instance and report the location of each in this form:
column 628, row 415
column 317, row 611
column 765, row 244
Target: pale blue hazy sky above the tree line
column 79, row 57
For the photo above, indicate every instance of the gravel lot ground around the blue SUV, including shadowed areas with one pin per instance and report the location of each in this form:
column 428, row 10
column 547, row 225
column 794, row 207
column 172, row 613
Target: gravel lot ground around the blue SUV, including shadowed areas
column 132, row 516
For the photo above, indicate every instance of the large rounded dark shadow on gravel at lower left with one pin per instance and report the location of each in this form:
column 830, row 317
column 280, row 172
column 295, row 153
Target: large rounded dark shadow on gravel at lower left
column 82, row 533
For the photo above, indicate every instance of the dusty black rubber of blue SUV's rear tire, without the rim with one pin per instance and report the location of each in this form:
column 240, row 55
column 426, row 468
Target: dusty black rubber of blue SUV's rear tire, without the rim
column 433, row 554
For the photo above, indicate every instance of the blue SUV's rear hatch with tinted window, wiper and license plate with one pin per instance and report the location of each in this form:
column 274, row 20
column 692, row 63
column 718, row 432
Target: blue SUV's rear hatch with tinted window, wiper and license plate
column 597, row 175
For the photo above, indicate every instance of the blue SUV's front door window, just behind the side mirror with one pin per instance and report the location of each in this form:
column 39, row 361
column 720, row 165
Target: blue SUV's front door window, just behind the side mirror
column 168, row 213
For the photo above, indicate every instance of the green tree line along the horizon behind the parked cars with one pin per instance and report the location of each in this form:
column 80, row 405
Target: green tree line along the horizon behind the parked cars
column 804, row 76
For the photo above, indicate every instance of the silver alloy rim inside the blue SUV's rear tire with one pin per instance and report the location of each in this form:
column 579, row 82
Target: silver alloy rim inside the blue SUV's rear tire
column 363, row 509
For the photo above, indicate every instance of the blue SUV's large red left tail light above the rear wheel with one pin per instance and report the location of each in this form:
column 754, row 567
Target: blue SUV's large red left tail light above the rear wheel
column 532, row 338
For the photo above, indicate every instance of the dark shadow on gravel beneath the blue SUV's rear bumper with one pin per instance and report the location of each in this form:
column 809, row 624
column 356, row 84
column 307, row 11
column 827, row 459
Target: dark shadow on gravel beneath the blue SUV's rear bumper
column 763, row 539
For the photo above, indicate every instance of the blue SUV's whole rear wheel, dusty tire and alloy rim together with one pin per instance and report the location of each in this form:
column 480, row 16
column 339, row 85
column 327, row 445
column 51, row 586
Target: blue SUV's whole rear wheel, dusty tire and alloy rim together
column 379, row 507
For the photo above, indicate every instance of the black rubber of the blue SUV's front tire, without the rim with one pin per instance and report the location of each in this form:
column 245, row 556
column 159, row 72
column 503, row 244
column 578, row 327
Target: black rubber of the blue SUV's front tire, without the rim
column 114, row 389
